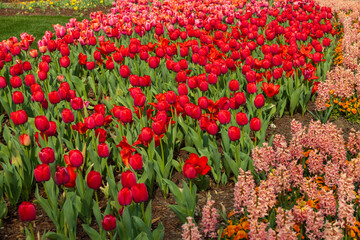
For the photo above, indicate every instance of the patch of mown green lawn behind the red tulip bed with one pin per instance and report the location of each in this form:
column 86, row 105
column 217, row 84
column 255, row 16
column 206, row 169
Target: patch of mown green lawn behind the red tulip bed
column 35, row 25
